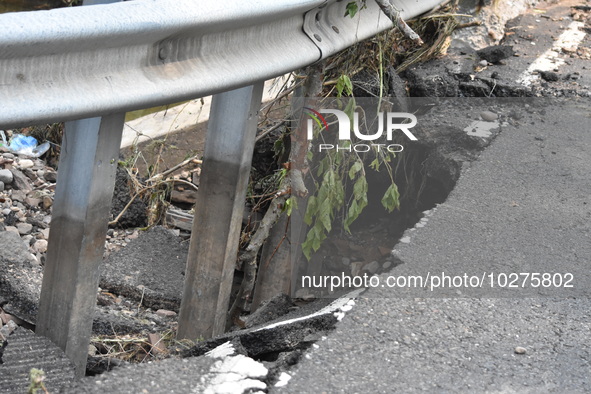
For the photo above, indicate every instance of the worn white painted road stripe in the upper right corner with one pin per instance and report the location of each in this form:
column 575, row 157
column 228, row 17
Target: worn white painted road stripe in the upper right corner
column 549, row 60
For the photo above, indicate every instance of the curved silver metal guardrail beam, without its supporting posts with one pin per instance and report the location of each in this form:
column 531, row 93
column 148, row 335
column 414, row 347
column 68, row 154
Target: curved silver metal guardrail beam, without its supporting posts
column 79, row 62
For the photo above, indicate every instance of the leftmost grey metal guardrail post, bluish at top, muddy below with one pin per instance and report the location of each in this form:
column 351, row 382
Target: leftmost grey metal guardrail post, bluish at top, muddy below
column 86, row 177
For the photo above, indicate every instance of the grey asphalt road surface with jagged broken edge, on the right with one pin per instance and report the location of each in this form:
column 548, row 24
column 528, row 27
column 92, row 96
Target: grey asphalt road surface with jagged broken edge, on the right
column 523, row 207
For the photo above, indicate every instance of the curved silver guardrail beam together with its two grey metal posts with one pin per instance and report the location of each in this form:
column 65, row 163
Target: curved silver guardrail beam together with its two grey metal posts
column 91, row 64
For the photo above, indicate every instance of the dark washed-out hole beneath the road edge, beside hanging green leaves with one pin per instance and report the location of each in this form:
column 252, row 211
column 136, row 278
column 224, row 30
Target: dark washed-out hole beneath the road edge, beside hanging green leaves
column 425, row 173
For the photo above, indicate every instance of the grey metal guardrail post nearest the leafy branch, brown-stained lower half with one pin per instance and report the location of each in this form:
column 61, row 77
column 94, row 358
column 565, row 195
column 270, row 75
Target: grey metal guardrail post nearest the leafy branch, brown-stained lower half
column 218, row 212
